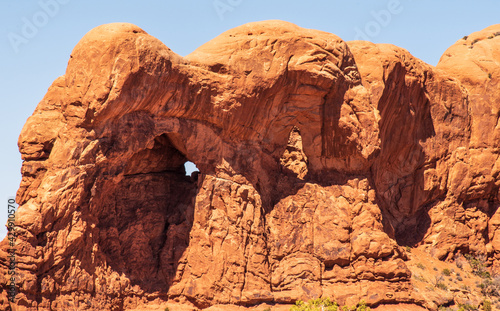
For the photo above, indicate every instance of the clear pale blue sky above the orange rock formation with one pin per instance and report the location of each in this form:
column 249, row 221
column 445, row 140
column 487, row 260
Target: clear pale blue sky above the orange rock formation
column 37, row 37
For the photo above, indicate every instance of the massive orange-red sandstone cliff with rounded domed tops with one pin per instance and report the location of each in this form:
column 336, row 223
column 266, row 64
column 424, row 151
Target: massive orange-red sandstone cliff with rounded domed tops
column 319, row 160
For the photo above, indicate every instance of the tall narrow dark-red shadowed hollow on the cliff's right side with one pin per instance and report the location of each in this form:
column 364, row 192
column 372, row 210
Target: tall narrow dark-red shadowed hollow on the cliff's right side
column 398, row 172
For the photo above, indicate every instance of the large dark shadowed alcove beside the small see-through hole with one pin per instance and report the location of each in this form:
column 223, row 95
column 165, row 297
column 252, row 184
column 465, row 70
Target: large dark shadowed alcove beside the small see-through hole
column 147, row 216
